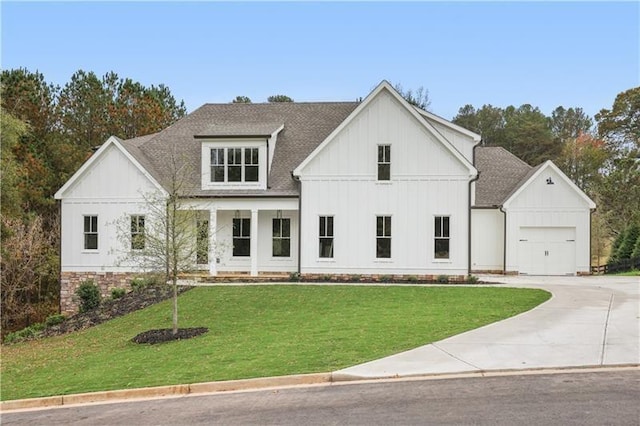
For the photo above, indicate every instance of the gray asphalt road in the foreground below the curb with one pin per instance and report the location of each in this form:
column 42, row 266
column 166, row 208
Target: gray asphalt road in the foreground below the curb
column 593, row 398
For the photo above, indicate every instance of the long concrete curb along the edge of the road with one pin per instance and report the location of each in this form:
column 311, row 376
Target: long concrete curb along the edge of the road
column 273, row 382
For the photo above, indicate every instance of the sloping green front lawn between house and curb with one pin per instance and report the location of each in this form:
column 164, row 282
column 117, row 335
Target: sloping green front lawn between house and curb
column 255, row 331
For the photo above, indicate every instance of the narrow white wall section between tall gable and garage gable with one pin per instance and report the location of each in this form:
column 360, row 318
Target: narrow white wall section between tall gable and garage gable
column 487, row 240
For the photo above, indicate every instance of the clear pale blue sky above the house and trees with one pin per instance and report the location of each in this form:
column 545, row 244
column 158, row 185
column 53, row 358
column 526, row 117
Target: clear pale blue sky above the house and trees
column 501, row 53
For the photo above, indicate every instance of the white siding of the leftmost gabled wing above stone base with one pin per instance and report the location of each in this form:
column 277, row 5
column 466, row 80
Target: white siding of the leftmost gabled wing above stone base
column 111, row 189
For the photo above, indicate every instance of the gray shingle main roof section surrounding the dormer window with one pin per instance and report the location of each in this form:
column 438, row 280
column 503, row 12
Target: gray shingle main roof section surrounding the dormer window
column 306, row 125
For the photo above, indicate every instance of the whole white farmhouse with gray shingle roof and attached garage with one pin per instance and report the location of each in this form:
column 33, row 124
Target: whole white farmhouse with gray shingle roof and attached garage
column 371, row 187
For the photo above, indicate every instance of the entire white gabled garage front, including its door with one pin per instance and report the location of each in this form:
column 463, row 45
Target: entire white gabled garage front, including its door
column 548, row 226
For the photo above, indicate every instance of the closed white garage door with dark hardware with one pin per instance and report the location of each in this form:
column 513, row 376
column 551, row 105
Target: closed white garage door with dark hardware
column 547, row 251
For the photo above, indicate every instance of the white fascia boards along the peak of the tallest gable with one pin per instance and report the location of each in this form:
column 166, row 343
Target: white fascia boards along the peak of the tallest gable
column 384, row 85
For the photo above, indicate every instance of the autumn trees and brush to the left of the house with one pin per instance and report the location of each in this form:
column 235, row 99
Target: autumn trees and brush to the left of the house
column 48, row 131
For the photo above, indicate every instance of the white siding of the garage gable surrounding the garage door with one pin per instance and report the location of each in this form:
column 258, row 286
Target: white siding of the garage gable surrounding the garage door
column 543, row 205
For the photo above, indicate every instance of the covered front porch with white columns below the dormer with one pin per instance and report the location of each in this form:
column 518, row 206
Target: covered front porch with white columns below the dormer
column 252, row 236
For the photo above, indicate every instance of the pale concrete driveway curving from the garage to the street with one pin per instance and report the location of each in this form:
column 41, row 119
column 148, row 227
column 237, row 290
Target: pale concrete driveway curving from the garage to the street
column 589, row 321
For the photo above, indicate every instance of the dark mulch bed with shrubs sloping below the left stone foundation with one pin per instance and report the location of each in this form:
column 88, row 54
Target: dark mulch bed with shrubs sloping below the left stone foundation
column 110, row 309
